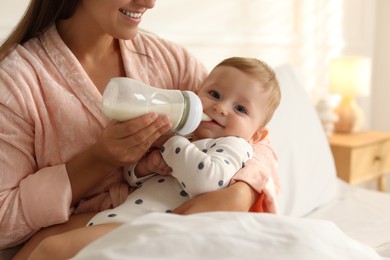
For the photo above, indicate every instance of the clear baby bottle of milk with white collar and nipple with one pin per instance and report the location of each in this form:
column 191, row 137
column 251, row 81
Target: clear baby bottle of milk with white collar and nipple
column 125, row 98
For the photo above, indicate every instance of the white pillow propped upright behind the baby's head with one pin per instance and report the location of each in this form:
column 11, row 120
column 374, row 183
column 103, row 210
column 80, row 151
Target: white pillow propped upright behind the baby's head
column 306, row 167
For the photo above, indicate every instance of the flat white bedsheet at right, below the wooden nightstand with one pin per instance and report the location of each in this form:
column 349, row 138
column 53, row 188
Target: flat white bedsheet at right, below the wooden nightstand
column 362, row 214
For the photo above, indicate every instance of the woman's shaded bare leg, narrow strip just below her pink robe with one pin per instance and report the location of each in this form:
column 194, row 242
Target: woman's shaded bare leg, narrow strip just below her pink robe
column 74, row 222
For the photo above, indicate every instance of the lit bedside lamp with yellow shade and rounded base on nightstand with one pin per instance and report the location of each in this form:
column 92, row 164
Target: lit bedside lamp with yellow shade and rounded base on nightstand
column 350, row 77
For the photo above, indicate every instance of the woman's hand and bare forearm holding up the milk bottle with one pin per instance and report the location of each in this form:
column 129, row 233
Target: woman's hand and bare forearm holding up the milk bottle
column 121, row 143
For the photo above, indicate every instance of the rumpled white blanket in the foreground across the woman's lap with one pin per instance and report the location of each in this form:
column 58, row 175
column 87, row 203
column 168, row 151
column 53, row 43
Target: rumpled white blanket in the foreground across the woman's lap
column 227, row 236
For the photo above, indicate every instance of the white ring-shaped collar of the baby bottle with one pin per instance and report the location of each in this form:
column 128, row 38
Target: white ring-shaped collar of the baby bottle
column 194, row 114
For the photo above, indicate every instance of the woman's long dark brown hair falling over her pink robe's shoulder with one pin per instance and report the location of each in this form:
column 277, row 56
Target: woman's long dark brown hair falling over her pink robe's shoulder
column 39, row 16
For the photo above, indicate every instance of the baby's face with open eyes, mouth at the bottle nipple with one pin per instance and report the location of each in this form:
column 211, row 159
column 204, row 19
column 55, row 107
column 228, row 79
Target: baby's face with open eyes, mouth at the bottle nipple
column 235, row 101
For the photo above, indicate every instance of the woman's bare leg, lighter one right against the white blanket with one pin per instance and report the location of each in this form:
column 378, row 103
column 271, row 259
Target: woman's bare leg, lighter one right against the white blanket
column 68, row 244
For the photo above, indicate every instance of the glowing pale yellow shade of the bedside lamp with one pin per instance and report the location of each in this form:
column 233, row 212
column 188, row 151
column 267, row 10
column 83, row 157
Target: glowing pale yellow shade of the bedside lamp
column 350, row 76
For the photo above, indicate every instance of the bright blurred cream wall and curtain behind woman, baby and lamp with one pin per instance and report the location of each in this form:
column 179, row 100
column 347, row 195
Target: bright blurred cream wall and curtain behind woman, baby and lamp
column 304, row 33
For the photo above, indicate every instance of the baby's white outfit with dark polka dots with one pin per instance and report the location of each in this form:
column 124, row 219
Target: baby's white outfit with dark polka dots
column 198, row 167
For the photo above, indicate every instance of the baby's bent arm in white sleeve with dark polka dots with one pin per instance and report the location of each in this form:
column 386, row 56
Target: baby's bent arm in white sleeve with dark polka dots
column 205, row 165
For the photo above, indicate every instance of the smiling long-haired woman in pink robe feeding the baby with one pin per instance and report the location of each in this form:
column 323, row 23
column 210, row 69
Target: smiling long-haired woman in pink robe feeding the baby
column 59, row 155
